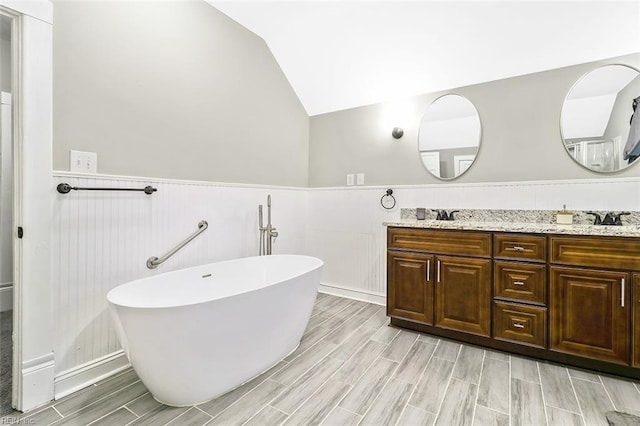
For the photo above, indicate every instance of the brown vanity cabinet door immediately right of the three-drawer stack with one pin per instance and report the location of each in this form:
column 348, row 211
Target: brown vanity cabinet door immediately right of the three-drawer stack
column 589, row 313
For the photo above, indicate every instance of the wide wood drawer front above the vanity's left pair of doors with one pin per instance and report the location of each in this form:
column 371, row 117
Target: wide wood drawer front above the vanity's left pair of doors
column 461, row 243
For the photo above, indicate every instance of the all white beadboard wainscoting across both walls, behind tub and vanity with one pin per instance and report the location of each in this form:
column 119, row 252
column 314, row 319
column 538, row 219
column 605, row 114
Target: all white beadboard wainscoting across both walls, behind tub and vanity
column 103, row 238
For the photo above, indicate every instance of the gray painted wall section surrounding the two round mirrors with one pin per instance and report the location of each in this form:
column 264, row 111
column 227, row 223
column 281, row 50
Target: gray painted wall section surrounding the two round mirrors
column 521, row 140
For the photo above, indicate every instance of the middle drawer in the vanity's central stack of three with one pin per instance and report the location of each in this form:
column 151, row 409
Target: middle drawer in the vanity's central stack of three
column 524, row 282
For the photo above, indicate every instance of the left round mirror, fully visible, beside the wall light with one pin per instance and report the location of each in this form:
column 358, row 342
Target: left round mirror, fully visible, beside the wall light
column 449, row 136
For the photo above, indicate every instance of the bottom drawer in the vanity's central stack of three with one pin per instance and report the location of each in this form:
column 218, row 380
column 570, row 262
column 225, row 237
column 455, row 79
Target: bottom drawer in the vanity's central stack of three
column 520, row 324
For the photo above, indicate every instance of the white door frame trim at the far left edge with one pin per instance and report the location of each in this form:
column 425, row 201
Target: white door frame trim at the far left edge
column 33, row 331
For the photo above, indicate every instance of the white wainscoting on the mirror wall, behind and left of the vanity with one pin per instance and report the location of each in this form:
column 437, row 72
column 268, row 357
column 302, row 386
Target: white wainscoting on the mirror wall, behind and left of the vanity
column 345, row 224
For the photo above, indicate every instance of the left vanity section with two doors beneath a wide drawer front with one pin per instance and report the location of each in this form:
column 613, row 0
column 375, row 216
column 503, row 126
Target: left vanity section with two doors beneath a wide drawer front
column 440, row 277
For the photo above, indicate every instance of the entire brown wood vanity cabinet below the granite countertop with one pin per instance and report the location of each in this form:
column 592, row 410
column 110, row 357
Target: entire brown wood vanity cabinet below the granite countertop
column 570, row 299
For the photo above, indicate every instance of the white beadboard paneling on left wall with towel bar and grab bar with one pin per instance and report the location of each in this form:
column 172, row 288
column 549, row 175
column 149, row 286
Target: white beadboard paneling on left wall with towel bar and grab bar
column 103, row 238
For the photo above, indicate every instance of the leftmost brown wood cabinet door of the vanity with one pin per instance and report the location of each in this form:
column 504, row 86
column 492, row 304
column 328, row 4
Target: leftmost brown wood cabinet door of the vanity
column 410, row 286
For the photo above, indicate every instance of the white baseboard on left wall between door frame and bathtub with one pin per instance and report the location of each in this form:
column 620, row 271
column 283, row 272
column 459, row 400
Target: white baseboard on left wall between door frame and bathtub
column 87, row 374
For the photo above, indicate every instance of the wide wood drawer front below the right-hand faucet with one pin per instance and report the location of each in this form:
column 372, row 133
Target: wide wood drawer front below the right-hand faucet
column 598, row 252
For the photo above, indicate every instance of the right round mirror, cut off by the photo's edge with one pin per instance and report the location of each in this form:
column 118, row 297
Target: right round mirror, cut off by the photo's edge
column 599, row 123
